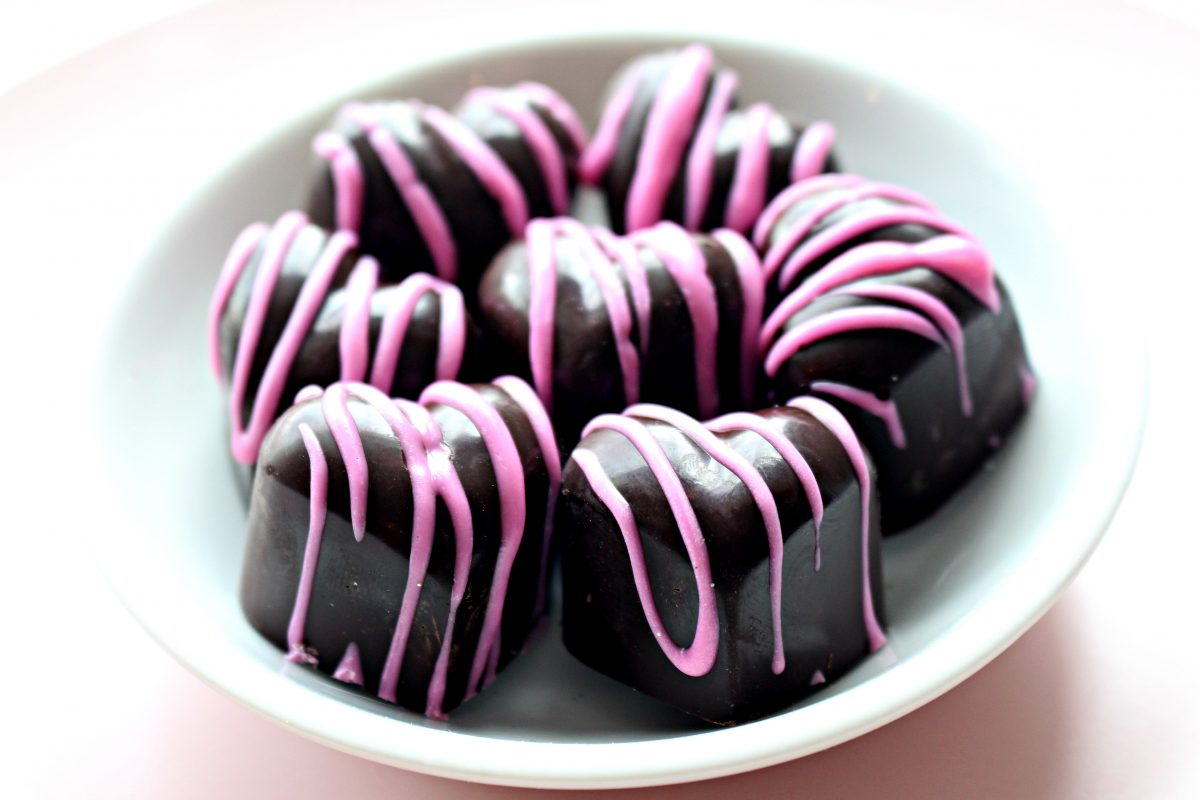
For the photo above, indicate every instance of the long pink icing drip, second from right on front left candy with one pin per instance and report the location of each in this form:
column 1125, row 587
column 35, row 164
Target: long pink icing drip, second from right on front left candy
column 511, row 485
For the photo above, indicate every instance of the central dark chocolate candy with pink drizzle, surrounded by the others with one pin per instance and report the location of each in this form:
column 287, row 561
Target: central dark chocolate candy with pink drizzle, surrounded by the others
column 601, row 322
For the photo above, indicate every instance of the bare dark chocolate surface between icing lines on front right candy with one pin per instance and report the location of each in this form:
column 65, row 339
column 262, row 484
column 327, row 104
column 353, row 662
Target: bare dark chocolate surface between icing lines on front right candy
column 823, row 598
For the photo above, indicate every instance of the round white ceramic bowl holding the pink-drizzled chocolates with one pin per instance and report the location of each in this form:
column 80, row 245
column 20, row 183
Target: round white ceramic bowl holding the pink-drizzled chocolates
column 959, row 590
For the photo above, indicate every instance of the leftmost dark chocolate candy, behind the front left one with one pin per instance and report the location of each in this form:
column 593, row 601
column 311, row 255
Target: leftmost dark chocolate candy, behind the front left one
column 297, row 306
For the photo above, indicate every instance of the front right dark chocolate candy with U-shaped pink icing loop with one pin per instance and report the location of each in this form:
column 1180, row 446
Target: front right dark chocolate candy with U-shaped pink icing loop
column 729, row 569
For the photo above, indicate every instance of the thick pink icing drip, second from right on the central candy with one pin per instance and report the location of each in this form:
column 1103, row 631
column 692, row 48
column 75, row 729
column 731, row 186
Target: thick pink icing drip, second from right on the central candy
column 686, row 263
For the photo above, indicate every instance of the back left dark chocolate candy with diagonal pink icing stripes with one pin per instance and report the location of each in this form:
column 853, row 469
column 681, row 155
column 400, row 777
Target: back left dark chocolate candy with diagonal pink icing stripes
column 429, row 191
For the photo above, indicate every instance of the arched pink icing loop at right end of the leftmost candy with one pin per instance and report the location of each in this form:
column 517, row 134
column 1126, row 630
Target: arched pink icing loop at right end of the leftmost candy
column 399, row 317
